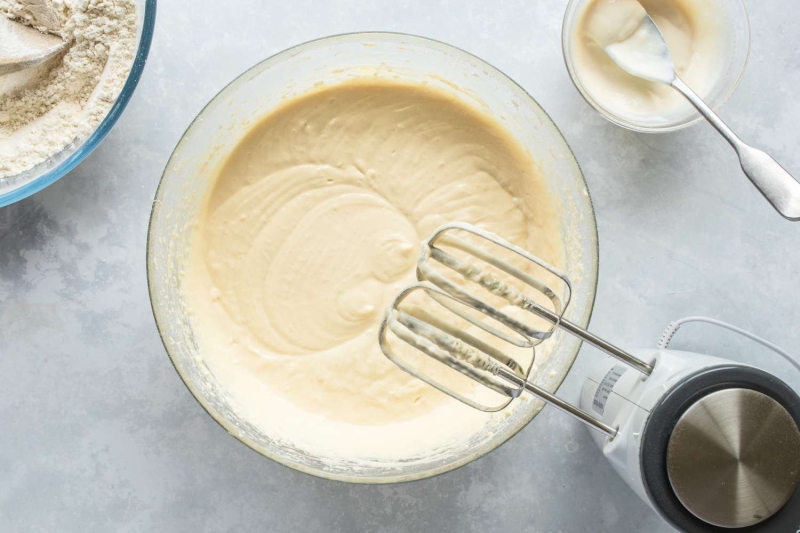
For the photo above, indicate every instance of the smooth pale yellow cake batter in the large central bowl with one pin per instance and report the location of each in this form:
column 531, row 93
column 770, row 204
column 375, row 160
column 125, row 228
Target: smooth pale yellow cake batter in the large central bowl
column 313, row 227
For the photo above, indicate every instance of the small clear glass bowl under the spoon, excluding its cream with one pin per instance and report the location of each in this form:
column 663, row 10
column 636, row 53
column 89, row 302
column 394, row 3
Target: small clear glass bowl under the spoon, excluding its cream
column 736, row 29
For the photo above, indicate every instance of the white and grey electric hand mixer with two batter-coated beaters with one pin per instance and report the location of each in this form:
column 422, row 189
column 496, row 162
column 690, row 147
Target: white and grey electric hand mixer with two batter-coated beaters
column 710, row 444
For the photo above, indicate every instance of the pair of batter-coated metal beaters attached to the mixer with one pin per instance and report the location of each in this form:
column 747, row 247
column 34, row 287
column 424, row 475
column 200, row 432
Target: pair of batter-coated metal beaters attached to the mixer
column 460, row 347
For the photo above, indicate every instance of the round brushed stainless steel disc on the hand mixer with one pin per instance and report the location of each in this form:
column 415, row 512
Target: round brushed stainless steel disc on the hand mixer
column 734, row 458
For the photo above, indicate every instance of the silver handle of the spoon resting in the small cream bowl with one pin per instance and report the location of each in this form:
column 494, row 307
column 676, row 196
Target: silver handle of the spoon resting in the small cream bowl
column 769, row 177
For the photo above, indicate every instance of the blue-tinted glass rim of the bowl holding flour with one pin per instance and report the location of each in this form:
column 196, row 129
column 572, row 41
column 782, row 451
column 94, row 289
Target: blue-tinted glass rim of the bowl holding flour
column 24, row 184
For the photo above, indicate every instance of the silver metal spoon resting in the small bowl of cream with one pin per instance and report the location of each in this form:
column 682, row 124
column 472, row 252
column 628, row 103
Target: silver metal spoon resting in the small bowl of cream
column 645, row 54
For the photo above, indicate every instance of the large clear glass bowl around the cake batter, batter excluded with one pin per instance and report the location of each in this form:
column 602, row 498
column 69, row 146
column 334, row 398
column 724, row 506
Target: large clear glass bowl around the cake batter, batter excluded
column 221, row 125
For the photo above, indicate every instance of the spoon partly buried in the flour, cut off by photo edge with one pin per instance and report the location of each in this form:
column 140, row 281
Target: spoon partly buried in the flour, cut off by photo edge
column 23, row 47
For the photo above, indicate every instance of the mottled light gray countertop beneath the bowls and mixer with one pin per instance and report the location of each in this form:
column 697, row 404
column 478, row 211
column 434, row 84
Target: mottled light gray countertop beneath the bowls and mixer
column 97, row 432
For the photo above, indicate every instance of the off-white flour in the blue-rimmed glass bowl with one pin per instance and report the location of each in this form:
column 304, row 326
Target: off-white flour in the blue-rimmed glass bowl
column 70, row 96
